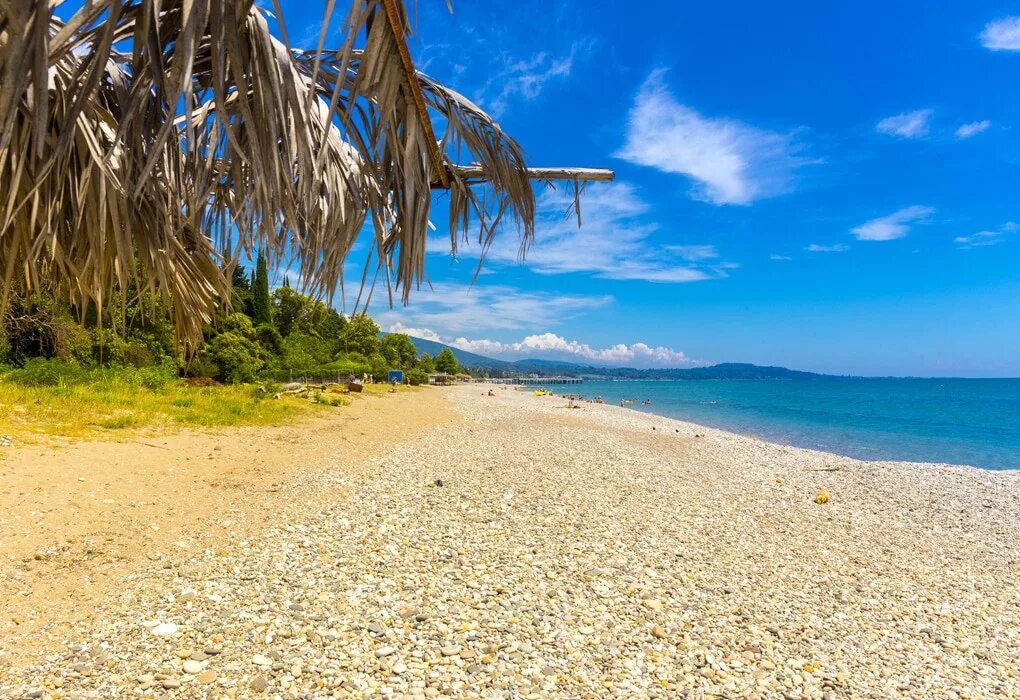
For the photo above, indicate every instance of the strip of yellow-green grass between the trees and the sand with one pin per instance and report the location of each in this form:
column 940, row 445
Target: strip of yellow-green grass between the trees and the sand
column 109, row 403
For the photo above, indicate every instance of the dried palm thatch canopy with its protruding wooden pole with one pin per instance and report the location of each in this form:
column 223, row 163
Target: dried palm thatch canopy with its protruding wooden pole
column 160, row 142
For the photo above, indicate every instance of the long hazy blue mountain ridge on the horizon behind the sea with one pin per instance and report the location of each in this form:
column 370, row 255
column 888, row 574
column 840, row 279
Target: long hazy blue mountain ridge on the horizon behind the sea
column 726, row 371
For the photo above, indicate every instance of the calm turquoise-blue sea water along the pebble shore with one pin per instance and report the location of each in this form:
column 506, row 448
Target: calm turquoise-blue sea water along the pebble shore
column 958, row 422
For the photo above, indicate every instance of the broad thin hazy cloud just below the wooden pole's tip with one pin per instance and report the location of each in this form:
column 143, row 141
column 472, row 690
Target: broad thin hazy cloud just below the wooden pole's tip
column 614, row 242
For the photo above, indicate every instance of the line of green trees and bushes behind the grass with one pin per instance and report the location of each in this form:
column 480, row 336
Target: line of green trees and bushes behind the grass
column 262, row 334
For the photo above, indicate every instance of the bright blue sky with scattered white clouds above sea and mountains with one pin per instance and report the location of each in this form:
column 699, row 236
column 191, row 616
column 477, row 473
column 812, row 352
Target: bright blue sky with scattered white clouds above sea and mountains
column 828, row 187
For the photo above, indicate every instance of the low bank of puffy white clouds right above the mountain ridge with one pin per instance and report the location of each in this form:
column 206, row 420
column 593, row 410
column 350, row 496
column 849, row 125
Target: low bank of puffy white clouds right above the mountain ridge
column 550, row 345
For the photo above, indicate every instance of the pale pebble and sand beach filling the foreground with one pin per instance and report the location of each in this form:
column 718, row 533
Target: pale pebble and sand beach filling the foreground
column 505, row 546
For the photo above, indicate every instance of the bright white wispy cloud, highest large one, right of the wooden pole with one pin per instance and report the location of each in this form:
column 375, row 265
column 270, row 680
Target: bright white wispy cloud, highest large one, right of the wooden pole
column 730, row 162
